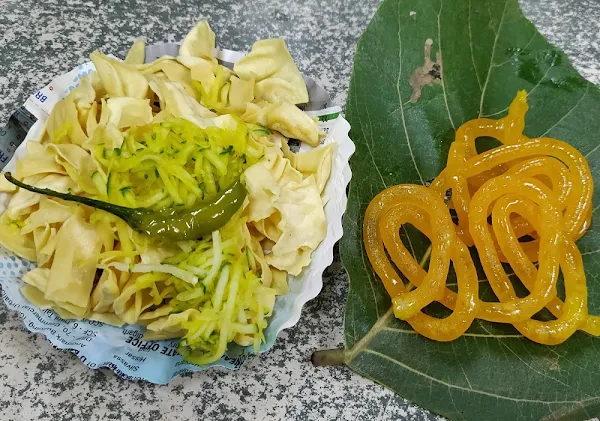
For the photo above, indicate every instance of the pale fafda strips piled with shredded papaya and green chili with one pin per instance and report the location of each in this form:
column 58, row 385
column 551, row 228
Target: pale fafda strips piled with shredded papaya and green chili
column 165, row 194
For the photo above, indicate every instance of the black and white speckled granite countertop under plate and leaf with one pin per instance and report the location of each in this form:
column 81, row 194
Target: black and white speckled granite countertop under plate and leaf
column 39, row 40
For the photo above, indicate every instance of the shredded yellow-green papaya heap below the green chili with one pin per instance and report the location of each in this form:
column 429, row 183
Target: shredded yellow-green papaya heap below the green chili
column 229, row 302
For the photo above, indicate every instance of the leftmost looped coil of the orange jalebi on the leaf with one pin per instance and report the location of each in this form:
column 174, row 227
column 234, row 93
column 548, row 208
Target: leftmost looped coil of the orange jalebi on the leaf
column 429, row 284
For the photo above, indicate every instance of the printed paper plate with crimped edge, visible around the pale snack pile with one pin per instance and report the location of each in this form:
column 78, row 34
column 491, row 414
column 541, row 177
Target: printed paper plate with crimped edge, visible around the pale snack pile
column 123, row 349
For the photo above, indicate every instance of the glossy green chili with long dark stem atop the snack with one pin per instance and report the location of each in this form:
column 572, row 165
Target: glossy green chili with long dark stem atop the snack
column 172, row 224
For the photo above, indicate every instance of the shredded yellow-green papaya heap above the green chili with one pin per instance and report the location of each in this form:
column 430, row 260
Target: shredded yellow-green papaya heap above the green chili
column 173, row 163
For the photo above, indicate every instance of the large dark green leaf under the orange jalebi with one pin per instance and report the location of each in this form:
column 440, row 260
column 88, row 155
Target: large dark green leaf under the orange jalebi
column 488, row 52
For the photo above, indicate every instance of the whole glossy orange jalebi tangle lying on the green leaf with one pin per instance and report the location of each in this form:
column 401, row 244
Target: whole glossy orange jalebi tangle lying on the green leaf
column 524, row 203
